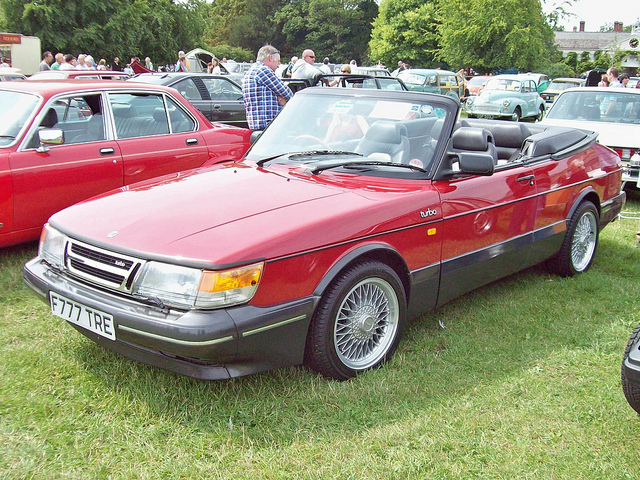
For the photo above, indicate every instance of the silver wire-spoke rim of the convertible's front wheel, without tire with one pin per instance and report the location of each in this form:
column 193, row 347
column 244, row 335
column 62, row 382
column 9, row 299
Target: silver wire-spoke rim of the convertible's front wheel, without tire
column 366, row 323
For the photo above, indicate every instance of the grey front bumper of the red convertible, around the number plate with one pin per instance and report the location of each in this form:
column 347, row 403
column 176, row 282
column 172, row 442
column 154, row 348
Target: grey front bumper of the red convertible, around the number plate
column 210, row 345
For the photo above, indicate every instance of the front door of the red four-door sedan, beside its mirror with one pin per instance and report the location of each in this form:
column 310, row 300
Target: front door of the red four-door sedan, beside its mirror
column 87, row 163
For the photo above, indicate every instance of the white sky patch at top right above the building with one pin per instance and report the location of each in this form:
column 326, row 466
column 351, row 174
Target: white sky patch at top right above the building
column 596, row 13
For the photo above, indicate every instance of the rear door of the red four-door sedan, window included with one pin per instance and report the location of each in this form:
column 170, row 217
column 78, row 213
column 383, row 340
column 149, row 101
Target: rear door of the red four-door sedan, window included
column 156, row 135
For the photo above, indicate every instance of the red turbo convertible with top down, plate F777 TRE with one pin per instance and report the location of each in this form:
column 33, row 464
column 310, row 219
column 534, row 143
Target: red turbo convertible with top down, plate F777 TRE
column 354, row 211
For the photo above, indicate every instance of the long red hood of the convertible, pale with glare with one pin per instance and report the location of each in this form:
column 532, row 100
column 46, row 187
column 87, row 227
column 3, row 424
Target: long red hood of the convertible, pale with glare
column 235, row 213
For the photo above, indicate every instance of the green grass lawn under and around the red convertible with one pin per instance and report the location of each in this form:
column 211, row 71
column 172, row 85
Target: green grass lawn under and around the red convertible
column 523, row 382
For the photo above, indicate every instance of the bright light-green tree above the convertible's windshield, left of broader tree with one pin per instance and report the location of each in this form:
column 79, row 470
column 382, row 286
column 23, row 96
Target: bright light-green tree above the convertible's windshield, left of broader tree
column 406, row 30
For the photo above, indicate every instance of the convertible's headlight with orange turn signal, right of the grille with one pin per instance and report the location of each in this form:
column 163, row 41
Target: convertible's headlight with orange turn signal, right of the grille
column 193, row 288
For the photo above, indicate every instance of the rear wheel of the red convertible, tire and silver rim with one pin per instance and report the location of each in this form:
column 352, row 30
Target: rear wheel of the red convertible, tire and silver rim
column 580, row 242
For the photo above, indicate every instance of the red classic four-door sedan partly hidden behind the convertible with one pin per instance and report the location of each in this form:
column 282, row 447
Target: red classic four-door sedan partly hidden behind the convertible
column 62, row 142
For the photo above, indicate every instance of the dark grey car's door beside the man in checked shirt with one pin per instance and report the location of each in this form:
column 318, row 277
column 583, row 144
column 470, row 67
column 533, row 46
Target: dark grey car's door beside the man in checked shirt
column 227, row 105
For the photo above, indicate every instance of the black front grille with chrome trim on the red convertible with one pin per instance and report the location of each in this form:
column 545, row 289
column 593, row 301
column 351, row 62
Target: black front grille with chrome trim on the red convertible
column 101, row 267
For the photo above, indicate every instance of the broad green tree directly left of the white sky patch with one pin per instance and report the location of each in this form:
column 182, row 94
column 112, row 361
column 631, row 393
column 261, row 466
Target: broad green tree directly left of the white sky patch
column 493, row 34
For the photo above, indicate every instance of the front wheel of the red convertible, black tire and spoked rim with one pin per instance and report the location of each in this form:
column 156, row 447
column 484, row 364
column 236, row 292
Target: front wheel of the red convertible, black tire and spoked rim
column 358, row 322
